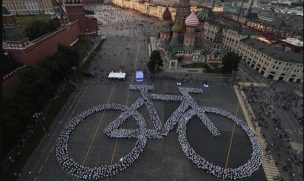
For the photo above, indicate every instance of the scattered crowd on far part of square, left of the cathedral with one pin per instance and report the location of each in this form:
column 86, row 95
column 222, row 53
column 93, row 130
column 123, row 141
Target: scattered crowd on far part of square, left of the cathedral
column 123, row 27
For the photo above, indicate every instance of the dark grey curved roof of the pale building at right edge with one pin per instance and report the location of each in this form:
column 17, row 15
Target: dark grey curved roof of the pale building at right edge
column 279, row 54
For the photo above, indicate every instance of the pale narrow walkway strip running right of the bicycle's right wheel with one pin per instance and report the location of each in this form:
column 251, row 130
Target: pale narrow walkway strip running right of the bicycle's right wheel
column 270, row 169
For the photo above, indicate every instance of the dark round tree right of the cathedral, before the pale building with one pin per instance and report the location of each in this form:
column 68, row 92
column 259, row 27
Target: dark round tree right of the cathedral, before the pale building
column 230, row 62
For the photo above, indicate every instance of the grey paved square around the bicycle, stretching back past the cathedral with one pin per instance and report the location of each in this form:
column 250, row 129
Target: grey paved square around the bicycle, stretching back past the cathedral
column 126, row 49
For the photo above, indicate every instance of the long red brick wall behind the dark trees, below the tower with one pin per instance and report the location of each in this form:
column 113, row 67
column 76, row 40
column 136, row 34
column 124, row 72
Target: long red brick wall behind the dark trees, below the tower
column 46, row 45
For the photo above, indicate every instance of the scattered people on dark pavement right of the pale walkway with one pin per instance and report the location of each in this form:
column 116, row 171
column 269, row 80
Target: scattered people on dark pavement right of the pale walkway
column 263, row 103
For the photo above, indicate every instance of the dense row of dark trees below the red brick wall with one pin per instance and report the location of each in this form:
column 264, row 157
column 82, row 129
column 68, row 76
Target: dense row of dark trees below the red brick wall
column 35, row 88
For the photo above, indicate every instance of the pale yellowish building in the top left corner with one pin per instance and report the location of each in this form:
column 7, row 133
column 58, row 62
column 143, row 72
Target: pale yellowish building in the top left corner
column 29, row 7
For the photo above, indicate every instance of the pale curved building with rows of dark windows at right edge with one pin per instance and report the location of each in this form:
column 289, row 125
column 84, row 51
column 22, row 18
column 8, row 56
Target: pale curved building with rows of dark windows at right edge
column 277, row 63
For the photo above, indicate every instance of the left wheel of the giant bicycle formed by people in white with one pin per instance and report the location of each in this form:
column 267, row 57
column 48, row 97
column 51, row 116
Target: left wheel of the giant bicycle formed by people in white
column 95, row 173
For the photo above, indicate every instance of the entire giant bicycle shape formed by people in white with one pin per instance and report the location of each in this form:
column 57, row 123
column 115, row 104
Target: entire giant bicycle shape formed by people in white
column 187, row 109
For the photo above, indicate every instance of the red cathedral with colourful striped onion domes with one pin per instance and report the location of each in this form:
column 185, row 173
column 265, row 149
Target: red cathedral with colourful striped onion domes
column 182, row 40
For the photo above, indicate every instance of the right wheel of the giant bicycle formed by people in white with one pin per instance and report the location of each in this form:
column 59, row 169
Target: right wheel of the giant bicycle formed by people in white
column 243, row 171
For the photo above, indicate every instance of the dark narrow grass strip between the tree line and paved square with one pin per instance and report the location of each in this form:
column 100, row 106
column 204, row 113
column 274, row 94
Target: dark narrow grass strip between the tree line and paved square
column 35, row 138
